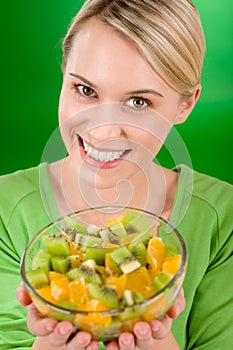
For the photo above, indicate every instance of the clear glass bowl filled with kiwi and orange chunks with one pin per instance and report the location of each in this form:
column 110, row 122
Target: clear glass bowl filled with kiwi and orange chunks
column 105, row 268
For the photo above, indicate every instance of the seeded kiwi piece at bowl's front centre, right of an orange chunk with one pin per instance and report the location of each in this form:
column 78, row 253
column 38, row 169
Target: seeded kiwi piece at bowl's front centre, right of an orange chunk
column 107, row 295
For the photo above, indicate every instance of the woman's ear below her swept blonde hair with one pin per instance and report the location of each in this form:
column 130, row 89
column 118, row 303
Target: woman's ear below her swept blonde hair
column 187, row 106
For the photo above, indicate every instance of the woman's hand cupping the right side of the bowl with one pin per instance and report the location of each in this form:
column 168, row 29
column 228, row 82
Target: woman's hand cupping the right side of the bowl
column 153, row 335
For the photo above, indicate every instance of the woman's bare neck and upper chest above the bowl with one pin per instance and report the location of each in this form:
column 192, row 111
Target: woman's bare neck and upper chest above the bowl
column 152, row 189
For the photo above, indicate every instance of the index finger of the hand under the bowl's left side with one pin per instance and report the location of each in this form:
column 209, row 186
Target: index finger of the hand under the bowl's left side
column 37, row 324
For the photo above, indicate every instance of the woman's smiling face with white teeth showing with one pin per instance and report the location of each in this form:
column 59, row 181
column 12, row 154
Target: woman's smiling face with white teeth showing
column 111, row 105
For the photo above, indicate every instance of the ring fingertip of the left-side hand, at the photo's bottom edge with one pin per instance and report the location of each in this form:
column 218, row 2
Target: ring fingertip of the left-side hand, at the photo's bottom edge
column 82, row 340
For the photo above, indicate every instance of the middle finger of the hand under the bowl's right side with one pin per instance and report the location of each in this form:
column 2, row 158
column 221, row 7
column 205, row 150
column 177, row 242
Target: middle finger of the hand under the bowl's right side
column 143, row 333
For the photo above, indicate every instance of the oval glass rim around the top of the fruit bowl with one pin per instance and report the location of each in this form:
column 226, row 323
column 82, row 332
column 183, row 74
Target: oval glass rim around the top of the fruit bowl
column 113, row 311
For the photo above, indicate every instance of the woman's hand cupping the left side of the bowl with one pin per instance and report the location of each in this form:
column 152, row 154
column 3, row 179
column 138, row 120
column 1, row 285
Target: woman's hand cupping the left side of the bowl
column 51, row 334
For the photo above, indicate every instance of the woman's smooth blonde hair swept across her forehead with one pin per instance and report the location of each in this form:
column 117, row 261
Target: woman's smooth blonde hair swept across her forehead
column 167, row 32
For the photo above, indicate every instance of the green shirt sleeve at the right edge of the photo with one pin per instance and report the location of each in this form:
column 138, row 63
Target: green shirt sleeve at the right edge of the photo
column 211, row 316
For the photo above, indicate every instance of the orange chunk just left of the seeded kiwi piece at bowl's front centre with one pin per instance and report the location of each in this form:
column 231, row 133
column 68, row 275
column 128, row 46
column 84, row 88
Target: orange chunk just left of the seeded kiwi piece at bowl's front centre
column 78, row 293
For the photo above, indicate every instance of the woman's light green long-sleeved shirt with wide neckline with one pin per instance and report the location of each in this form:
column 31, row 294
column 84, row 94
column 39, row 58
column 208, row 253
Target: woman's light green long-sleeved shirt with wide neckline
column 203, row 214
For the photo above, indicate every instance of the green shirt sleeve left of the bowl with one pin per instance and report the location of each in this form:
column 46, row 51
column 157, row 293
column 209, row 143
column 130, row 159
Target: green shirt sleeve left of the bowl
column 13, row 330
